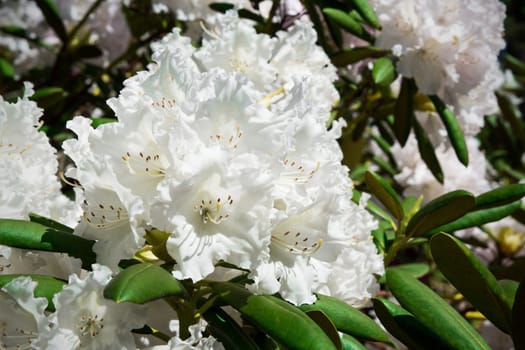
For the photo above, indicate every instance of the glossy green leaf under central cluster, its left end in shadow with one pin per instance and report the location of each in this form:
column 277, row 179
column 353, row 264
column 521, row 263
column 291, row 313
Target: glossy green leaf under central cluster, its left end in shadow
column 280, row 320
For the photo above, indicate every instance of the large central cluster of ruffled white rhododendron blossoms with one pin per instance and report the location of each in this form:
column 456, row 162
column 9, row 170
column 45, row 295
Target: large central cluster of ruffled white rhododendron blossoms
column 225, row 149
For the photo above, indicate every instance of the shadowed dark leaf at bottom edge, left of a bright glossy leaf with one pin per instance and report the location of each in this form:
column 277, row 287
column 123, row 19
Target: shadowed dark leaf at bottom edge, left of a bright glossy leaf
column 227, row 331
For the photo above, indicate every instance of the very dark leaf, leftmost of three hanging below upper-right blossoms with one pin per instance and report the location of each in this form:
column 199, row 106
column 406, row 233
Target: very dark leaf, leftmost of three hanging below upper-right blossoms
column 404, row 110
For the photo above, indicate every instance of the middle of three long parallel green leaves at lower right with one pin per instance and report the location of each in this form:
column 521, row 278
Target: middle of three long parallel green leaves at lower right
column 434, row 312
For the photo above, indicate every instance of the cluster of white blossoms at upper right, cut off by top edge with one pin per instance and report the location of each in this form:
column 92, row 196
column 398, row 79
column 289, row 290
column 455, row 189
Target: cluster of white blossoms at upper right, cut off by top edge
column 450, row 50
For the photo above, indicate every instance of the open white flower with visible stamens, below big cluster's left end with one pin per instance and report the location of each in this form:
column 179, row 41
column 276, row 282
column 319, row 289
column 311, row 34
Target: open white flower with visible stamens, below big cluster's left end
column 84, row 319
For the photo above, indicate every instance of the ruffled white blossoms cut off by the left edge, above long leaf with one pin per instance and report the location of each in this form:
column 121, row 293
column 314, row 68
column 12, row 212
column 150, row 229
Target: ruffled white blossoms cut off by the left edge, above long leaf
column 29, row 165
